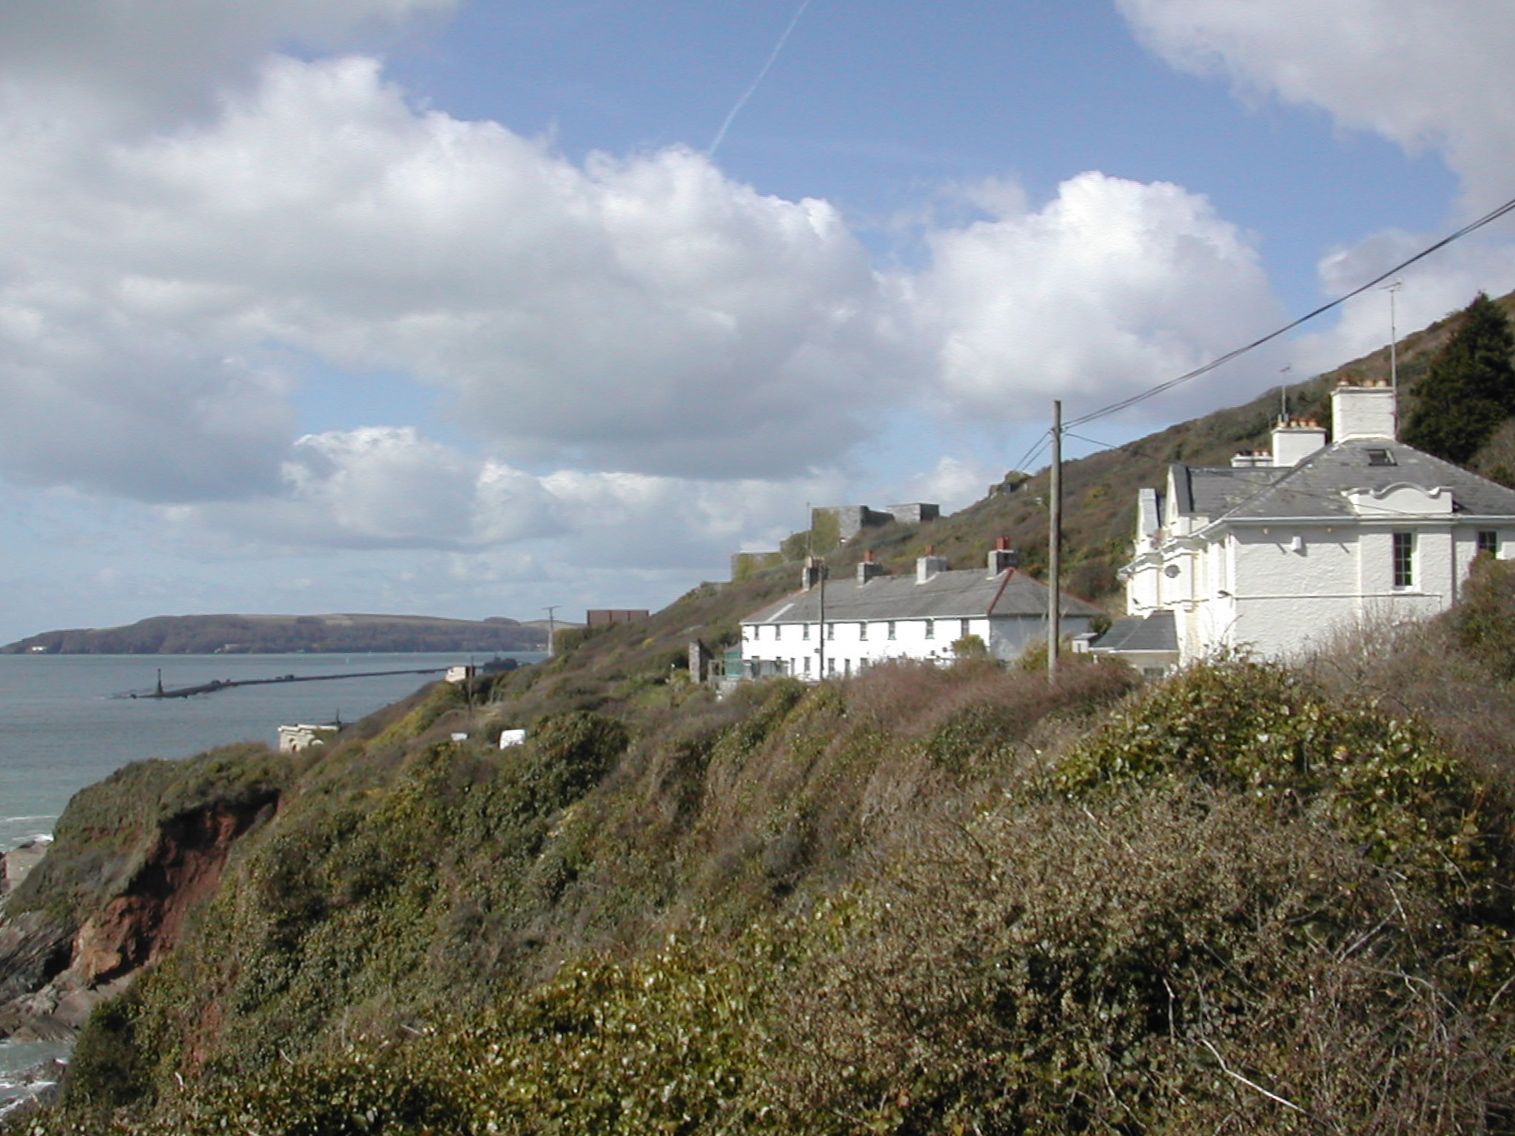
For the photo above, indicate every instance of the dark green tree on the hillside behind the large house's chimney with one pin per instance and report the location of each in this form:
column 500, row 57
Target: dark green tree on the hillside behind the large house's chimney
column 1469, row 389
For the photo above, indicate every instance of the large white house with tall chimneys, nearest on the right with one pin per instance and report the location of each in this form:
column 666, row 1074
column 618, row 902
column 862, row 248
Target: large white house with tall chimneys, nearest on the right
column 1284, row 549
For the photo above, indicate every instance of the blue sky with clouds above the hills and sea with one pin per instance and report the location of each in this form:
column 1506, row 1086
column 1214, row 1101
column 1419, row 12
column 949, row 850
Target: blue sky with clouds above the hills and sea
column 478, row 308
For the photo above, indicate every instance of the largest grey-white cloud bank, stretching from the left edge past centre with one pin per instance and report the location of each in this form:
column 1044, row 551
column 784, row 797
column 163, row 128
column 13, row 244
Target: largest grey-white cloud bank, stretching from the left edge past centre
column 642, row 313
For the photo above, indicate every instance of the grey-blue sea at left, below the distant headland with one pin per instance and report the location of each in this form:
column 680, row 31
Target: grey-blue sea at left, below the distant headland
column 70, row 720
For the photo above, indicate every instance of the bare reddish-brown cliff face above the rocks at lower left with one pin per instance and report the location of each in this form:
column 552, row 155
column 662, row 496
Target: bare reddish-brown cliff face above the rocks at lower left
column 181, row 867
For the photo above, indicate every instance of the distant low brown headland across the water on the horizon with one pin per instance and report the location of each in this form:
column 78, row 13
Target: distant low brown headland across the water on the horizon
column 287, row 634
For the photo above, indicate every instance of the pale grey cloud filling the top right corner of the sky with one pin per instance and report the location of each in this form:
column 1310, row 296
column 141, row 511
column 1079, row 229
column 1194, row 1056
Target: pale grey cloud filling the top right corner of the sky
column 1425, row 76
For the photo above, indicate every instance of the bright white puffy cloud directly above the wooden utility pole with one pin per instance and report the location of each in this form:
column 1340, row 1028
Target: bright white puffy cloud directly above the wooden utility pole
column 1107, row 290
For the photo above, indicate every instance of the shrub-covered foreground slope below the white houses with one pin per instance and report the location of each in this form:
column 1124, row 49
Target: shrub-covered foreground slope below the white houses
column 1252, row 899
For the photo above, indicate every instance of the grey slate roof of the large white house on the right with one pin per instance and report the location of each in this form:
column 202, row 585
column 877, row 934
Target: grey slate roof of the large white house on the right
column 1316, row 487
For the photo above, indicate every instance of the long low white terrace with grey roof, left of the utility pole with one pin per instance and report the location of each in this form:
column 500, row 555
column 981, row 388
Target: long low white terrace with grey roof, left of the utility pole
column 842, row 628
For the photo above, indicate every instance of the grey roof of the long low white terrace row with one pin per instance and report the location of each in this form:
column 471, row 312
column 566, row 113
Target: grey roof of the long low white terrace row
column 966, row 593
